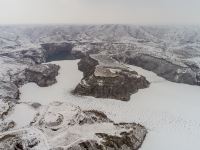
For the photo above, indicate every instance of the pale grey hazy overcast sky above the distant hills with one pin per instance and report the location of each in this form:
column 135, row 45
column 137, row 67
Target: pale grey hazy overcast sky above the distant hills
column 100, row 11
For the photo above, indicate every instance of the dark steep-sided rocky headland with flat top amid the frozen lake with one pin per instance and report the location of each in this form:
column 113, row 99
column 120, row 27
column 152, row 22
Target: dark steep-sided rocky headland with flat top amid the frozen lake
column 108, row 81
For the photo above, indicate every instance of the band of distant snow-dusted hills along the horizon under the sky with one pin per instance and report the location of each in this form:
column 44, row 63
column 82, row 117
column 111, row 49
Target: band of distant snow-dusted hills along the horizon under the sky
column 165, row 35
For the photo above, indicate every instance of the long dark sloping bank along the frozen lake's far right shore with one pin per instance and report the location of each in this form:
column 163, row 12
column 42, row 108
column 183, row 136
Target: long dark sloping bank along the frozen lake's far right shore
column 166, row 69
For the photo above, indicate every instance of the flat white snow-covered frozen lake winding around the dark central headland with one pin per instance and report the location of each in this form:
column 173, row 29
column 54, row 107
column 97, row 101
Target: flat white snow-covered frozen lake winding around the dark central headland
column 170, row 111
